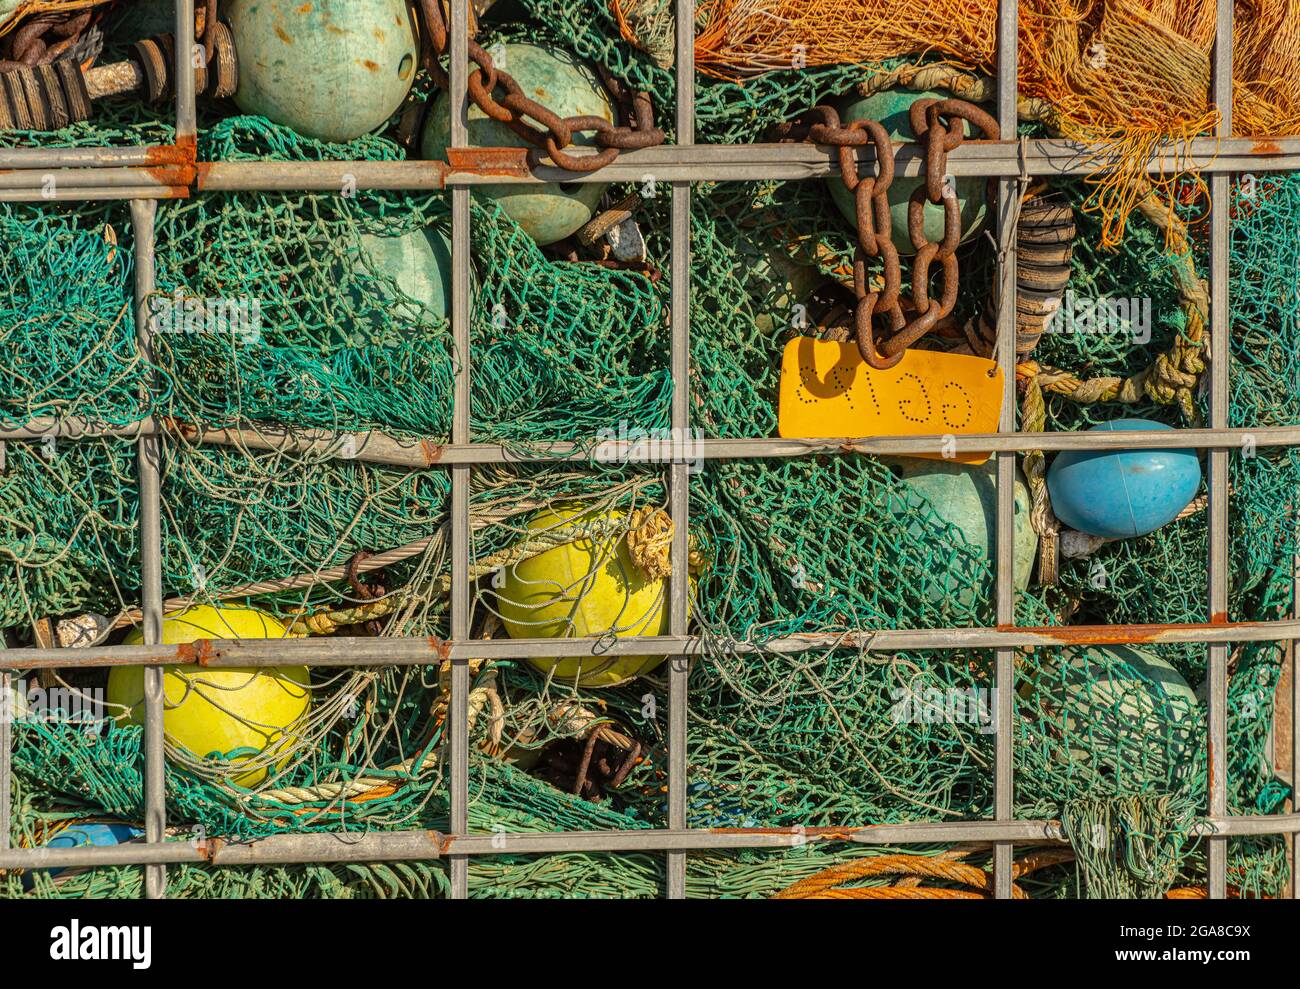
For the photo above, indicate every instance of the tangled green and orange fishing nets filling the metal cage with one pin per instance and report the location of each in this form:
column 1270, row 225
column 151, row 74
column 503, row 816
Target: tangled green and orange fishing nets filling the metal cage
column 781, row 548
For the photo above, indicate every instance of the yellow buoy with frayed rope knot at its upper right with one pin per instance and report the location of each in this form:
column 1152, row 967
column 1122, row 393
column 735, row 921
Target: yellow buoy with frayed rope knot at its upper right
column 590, row 587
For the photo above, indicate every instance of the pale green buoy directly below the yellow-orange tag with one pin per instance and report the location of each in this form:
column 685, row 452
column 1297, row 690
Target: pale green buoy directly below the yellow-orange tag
column 967, row 498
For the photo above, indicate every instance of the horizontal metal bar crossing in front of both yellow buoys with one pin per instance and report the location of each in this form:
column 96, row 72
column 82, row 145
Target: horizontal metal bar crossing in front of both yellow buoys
column 339, row 652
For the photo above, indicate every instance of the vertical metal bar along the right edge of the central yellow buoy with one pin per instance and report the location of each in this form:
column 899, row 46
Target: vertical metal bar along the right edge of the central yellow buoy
column 681, row 487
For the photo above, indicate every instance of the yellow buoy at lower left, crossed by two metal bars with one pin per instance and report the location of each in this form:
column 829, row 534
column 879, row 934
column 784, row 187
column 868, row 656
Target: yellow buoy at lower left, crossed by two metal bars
column 236, row 715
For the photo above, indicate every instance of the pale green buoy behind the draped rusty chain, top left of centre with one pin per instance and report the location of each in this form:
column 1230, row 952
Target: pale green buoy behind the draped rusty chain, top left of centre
column 560, row 83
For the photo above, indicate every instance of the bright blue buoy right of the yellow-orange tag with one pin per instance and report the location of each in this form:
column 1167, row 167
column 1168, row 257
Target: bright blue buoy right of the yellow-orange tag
column 1124, row 493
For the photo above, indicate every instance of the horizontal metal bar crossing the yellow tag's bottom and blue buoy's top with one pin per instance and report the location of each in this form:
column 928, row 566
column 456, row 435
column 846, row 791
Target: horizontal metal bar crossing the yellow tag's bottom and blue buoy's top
column 378, row 448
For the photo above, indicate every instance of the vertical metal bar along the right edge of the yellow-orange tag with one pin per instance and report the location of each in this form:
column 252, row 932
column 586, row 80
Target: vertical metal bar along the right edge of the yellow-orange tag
column 1008, row 199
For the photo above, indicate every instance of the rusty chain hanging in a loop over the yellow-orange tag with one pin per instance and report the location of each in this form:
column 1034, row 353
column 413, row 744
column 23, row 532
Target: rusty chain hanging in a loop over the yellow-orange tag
column 939, row 129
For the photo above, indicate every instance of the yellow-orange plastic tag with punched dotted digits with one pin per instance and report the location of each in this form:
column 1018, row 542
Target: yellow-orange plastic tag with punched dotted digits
column 827, row 391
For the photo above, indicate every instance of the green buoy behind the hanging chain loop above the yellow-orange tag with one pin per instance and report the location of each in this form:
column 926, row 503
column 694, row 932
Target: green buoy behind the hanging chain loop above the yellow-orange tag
column 891, row 109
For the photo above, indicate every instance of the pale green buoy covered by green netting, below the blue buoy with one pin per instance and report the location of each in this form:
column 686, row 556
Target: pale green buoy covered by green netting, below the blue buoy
column 1123, row 712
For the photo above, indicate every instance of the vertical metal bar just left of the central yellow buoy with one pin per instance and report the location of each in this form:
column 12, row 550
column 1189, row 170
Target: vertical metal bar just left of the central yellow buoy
column 460, row 713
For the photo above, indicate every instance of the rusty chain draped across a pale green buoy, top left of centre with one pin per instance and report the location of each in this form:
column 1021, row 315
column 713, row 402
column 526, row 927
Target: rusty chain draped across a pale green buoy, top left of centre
column 515, row 110
